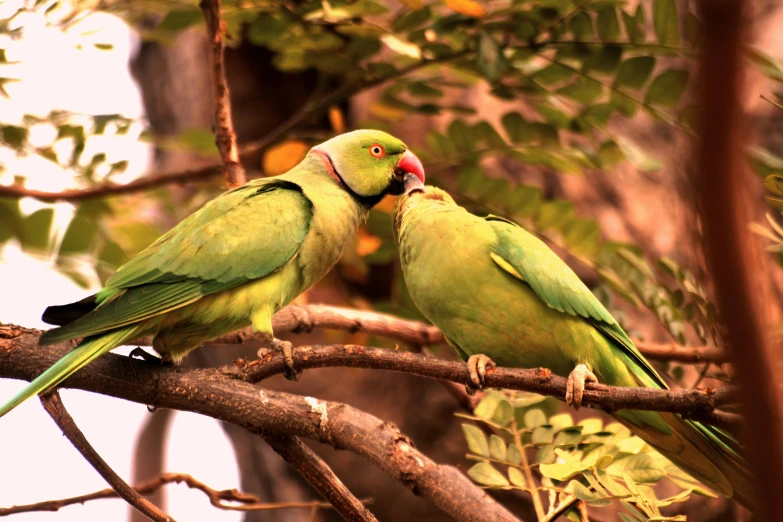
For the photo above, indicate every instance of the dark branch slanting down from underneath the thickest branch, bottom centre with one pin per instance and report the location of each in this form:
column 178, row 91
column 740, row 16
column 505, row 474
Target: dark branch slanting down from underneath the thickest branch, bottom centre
column 321, row 477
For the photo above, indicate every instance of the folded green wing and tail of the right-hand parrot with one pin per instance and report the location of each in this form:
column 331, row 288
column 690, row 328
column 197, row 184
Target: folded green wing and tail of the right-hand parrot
column 706, row 452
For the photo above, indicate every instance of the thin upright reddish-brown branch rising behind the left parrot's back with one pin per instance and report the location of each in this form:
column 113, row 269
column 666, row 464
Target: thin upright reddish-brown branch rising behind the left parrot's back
column 225, row 137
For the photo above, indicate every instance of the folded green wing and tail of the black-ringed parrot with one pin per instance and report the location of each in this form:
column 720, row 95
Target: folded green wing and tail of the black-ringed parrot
column 244, row 235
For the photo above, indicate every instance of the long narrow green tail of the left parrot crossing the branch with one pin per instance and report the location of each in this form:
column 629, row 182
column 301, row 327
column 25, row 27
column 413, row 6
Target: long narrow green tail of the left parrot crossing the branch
column 82, row 355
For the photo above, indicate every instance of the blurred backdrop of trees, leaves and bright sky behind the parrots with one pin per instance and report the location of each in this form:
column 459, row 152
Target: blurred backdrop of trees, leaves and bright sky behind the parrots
column 574, row 118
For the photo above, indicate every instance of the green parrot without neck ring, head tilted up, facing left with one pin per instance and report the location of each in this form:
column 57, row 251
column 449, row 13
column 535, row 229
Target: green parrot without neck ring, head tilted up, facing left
column 496, row 291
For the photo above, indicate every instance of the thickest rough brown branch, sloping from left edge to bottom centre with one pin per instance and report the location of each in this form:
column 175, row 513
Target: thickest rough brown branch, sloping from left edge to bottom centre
column 210, row 392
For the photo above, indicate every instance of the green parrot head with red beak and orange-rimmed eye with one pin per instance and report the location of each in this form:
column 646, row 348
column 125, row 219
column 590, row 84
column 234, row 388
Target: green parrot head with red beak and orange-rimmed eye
column 369, row 163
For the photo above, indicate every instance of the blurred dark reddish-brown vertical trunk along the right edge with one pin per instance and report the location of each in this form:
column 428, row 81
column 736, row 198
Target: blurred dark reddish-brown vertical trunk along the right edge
column 733, row 254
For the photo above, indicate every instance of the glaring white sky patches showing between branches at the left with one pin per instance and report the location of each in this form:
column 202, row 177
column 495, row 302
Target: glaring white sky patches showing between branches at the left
column 67, row 71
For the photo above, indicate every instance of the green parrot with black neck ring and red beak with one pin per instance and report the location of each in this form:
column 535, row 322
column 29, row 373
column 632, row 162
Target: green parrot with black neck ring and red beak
column 236, row 261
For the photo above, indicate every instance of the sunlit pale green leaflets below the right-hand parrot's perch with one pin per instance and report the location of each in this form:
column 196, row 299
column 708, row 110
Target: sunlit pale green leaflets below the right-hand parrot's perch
column 586, row 461
